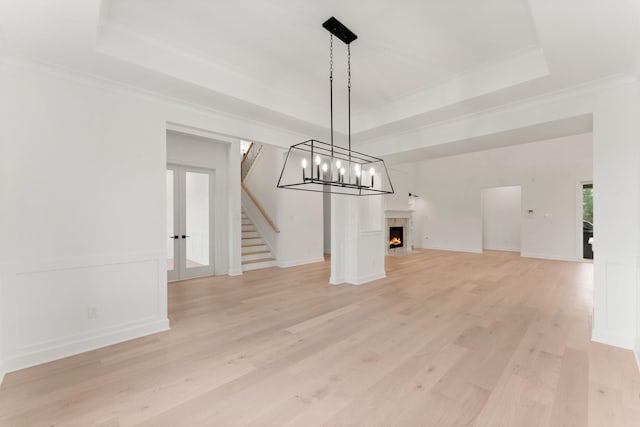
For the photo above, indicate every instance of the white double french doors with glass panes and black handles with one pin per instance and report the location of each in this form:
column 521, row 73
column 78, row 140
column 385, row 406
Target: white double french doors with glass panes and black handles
column 189, row 234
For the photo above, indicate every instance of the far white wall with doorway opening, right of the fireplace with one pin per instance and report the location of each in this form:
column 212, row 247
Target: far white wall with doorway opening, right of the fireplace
column 547, row 171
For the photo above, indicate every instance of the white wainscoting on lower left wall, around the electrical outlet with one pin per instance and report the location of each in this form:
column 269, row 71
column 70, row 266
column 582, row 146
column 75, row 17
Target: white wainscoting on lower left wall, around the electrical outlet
column 65, row 309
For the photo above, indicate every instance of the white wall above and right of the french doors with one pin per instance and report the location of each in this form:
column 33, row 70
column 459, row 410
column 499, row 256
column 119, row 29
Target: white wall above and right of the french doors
column 192, row 150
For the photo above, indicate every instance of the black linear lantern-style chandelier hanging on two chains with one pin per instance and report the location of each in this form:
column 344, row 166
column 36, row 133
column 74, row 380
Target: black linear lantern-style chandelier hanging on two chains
column 318, row 166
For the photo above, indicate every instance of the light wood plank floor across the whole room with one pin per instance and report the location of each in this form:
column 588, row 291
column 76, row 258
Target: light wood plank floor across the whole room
column 447, row 339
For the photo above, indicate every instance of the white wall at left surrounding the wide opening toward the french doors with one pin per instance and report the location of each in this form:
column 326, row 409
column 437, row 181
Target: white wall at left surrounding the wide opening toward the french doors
column 83, row 200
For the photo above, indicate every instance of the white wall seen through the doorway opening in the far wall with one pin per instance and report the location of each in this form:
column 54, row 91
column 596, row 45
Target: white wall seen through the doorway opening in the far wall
column 501, row 218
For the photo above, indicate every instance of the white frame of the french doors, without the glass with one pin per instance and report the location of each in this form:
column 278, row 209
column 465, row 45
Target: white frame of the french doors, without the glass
column 180, row 270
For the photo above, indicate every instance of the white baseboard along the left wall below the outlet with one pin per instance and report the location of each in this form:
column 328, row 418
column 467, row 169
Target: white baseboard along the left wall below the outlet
column 72, row 347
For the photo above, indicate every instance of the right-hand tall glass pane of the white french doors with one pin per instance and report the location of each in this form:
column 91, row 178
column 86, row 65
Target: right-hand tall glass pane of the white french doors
column 197, row 219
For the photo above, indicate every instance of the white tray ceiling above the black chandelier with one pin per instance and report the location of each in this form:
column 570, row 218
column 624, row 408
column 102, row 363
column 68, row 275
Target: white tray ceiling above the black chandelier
column 416, row 62
